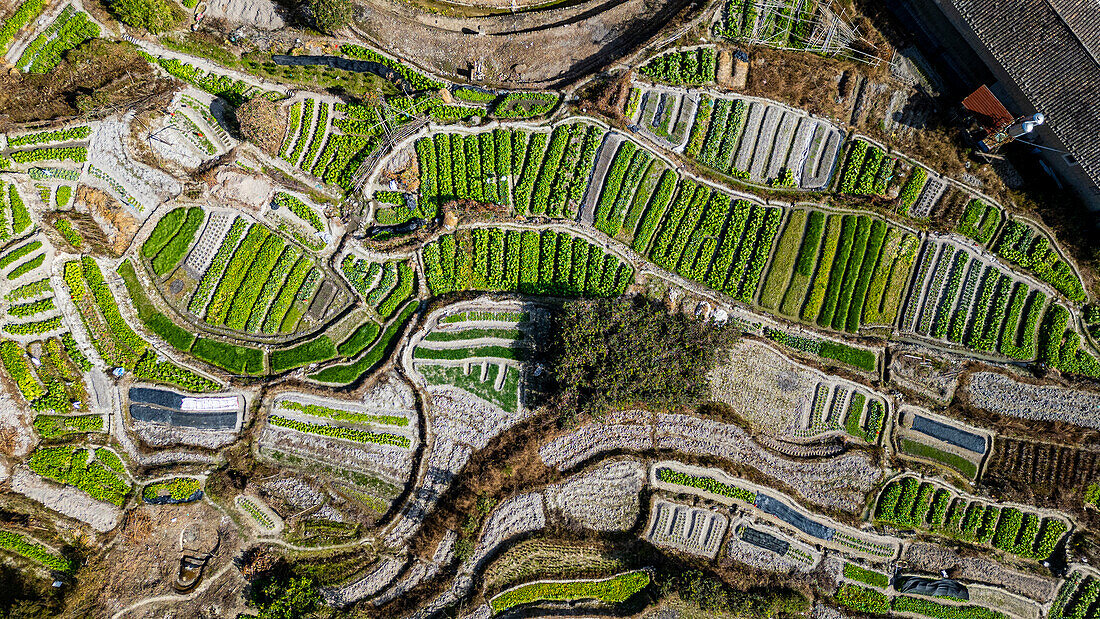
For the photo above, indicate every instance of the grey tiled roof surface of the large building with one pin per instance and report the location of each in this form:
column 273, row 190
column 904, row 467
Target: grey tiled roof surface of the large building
column 1052, row 51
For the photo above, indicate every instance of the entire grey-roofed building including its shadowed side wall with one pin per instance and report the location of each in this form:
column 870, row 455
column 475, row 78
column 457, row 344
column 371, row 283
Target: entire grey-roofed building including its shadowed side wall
column 1046, row 56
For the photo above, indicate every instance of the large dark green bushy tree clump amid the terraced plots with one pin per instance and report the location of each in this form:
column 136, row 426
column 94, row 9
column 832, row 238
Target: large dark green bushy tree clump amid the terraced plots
column 608, row 353
